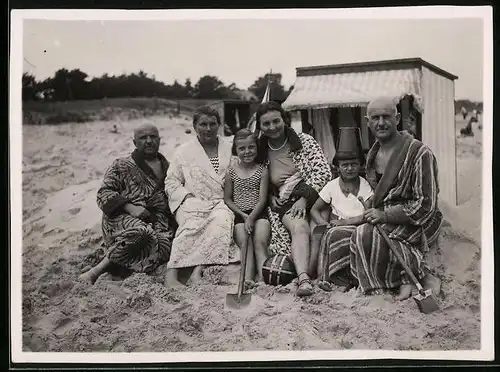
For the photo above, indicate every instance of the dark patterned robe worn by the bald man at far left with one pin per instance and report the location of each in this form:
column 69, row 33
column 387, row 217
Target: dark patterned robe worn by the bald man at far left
column 131, row 242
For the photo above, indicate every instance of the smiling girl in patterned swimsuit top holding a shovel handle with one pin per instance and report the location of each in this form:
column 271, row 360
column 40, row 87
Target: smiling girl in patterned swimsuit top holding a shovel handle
column 245, row 193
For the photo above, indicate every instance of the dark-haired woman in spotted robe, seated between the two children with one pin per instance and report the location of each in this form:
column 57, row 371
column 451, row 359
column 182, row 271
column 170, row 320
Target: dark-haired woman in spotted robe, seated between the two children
column 298, row 170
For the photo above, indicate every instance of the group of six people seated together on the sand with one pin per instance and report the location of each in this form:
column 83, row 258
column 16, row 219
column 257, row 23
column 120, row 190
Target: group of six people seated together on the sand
column 195, row 210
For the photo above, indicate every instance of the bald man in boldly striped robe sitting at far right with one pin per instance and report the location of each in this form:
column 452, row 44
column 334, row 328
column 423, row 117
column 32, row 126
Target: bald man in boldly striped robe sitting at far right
column 403, row 173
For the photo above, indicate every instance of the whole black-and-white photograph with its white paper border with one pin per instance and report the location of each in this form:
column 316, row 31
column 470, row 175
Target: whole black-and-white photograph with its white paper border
column 259, row 184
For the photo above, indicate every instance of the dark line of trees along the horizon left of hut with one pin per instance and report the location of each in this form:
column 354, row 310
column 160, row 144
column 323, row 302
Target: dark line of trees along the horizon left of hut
column 68, row 85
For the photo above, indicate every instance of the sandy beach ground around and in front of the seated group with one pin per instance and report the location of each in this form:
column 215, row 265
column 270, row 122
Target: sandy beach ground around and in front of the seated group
column 62, row 168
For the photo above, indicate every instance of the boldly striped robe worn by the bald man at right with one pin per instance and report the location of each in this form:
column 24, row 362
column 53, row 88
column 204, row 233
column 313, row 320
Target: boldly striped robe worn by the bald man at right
column 408, row 192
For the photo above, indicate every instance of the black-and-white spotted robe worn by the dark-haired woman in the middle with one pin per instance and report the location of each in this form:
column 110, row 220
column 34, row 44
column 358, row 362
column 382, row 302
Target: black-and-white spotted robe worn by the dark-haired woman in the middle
column 315, row 172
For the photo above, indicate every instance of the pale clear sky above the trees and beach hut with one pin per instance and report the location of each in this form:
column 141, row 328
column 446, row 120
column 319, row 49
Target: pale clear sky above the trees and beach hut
column 239, row 51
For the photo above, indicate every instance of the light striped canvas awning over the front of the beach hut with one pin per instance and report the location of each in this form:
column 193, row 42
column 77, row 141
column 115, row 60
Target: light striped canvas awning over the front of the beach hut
column 352, row 89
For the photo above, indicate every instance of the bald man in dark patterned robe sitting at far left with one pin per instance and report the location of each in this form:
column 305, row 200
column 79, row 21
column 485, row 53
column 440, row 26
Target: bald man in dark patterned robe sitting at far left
column 137, row 225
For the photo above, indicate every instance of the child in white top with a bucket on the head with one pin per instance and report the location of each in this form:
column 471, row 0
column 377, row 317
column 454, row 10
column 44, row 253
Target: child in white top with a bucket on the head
column 339, row 208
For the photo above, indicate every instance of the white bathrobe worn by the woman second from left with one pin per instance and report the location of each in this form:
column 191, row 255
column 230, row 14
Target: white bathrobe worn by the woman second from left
column 204, row 235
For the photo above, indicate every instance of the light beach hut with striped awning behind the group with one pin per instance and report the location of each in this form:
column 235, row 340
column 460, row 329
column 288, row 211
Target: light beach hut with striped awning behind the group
column 328, row 97
